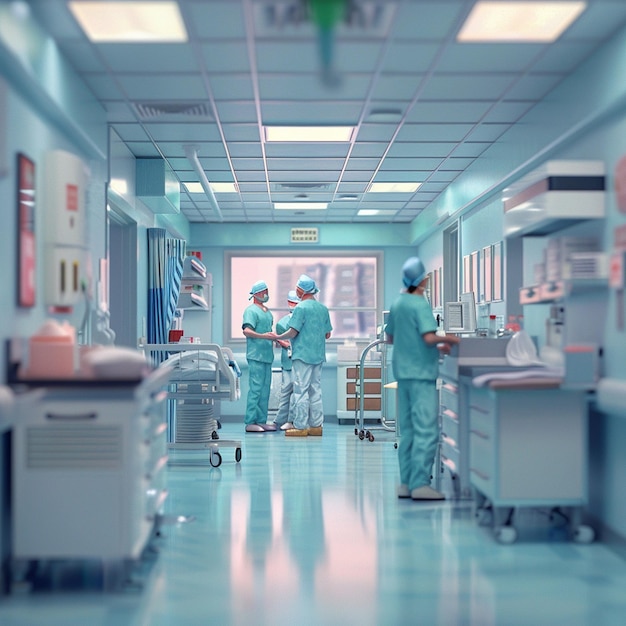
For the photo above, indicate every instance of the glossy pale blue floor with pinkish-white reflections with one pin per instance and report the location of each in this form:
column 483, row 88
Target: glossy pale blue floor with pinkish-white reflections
column 309, row 532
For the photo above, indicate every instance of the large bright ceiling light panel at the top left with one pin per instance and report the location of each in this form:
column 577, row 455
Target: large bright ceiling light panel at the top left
column 130, row 21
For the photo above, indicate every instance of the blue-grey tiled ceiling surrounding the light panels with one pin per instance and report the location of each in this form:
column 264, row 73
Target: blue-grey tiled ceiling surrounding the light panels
column 412, row 91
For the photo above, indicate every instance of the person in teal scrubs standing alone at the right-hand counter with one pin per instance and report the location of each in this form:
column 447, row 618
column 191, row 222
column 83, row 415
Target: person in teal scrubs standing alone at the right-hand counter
column 411, row 329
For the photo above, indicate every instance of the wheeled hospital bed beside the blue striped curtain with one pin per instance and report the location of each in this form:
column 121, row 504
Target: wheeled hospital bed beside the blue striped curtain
column 201, row 374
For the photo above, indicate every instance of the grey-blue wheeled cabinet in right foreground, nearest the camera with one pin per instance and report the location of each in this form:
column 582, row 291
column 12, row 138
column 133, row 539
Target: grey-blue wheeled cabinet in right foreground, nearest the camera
column 528, row 448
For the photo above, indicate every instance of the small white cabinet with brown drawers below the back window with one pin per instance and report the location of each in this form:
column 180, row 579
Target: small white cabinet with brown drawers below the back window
column 347, row 397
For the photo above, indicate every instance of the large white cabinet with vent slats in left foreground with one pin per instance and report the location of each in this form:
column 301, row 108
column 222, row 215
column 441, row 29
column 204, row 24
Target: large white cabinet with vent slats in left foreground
column 88, row 472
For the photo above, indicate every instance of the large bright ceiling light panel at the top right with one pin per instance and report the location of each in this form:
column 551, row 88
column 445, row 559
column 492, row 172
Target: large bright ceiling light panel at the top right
column 519, row 21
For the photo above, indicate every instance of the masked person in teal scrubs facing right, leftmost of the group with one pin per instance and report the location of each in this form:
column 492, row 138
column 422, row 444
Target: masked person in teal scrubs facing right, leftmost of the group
column 257, row 328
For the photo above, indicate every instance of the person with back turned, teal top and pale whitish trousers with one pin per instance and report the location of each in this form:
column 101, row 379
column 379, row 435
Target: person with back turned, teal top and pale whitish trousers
column 309, row 328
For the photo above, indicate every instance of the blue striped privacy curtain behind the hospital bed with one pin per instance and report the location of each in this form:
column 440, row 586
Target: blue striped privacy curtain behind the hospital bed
column 165, row 270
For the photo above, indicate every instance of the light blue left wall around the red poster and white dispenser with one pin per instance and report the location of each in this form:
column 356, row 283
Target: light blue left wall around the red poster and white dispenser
column 44, row 108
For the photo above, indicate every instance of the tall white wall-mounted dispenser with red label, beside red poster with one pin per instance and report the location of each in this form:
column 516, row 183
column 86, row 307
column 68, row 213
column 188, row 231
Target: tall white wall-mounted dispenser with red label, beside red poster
column 65, row 234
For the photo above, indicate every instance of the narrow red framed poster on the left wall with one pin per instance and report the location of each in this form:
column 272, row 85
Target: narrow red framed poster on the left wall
column 26, row 231
